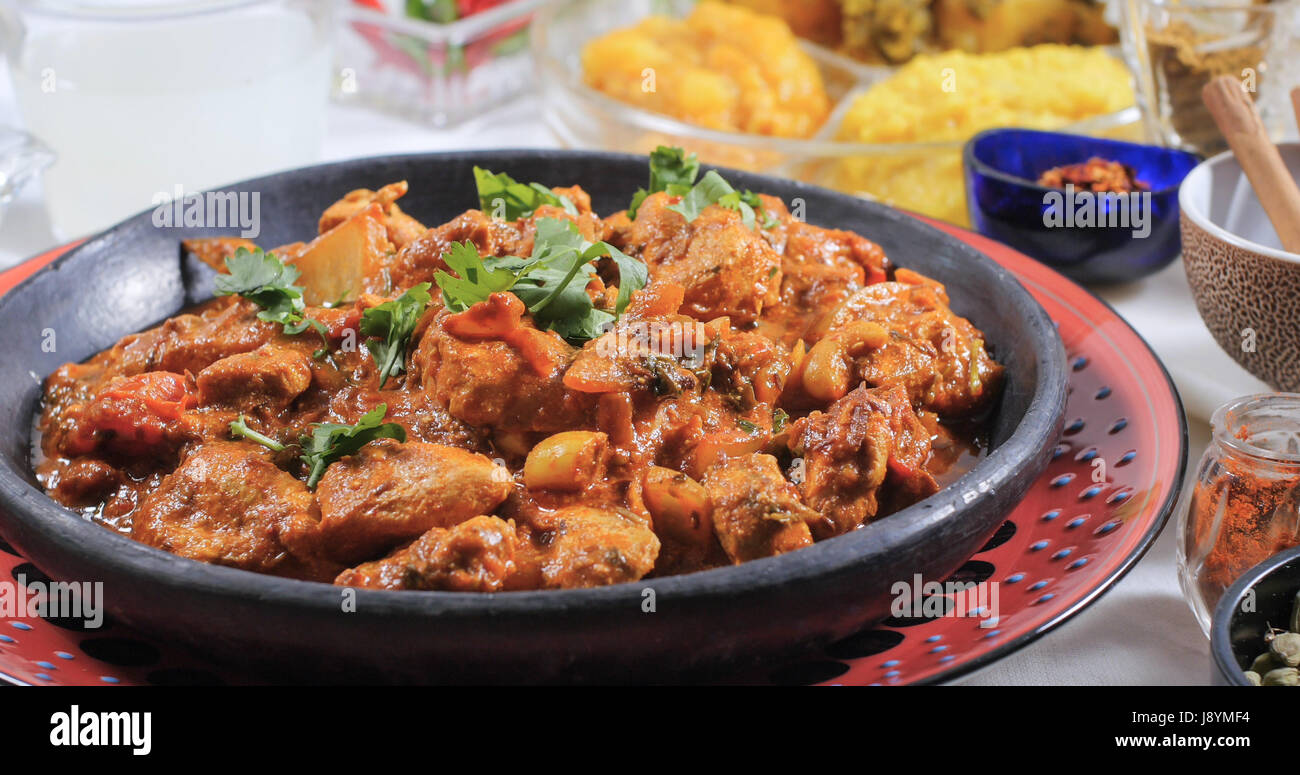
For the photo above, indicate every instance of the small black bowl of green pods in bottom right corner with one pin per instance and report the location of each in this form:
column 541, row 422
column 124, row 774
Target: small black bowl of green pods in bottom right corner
column 1260, row 599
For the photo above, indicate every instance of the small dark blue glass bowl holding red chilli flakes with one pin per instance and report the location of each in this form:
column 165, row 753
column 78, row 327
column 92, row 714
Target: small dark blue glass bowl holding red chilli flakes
column 1087, row 237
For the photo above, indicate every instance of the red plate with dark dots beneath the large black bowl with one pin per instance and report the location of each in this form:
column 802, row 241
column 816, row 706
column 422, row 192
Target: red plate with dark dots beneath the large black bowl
column 1113, row 482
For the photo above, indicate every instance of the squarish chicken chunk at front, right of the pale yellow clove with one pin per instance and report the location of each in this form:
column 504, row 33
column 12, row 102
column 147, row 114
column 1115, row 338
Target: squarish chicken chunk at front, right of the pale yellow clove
column 757, row 513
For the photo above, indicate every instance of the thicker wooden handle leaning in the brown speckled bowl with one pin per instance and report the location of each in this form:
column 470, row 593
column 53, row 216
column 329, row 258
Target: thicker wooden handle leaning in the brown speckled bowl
column 1260, row 161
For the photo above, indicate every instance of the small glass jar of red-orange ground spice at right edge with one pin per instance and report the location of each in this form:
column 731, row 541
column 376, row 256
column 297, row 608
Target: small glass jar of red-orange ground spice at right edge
column 1243, row 508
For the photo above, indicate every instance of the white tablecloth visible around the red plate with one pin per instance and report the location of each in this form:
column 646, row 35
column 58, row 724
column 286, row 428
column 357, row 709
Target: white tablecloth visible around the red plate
column 1141, row 633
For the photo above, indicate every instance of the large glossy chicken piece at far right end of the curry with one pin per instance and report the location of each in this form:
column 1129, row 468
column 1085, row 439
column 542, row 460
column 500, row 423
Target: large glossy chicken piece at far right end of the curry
column 935, row 354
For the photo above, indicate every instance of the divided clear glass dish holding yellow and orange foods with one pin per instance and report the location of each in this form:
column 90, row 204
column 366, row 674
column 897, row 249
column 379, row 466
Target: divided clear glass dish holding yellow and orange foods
column 925, row 177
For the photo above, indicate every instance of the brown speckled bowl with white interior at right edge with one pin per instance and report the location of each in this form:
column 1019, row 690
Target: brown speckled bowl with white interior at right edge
column 1247, row 288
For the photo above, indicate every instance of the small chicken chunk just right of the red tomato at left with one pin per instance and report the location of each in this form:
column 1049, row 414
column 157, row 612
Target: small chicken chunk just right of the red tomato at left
column 271, row 376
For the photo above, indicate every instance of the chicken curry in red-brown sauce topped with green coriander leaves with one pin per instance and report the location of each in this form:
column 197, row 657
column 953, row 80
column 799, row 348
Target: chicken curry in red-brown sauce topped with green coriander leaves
column 527, row 397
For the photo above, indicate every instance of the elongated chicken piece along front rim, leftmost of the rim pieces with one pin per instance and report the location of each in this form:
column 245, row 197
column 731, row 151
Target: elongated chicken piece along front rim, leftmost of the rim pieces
column 475, row 556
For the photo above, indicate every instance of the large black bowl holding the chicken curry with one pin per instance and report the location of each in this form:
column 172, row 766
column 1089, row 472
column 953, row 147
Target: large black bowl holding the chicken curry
column 135, row 276
